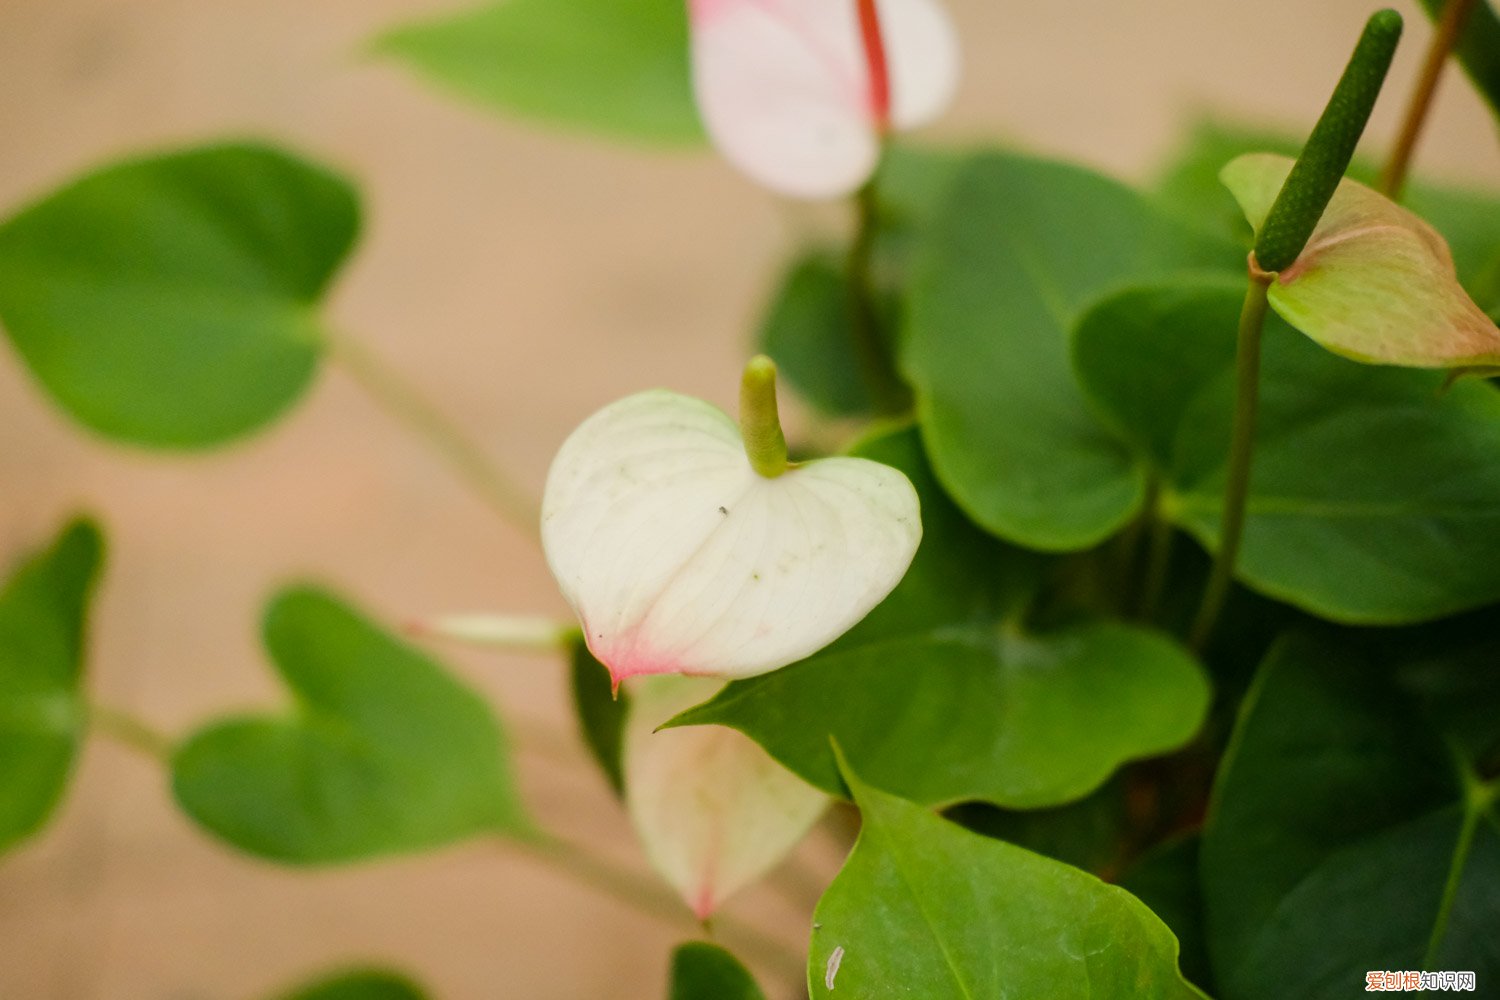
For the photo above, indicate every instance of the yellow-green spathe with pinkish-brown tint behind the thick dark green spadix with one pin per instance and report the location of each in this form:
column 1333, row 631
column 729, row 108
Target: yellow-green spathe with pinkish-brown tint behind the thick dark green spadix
column 1375, row 284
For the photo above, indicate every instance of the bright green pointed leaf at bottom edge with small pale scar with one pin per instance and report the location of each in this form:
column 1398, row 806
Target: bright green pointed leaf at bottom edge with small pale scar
column 928, row 909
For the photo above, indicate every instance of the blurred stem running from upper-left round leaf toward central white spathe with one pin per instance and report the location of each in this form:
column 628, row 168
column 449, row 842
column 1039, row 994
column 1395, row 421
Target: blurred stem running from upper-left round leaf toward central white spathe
column 412, row 409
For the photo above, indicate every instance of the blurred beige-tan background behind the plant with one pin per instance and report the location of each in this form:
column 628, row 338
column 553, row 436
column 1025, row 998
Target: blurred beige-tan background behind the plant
column 523, row 280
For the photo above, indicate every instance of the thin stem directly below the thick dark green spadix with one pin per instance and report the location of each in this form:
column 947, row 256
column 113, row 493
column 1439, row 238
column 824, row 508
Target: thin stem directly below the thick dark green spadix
column 1243, row 448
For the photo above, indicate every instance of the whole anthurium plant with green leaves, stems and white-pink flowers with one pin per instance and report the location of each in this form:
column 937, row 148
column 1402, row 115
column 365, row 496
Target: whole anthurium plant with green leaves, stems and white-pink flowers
column 1138, row 636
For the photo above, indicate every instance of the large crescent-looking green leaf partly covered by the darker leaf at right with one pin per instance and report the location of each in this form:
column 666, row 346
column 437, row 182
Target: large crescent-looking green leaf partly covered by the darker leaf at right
column 1016, row 251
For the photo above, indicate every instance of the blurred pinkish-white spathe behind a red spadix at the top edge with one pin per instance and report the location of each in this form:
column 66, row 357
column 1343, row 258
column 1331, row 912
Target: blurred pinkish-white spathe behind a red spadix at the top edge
column 784, row 86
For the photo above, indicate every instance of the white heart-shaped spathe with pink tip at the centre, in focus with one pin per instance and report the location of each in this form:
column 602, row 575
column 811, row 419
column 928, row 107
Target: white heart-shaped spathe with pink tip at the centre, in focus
column 680, row 558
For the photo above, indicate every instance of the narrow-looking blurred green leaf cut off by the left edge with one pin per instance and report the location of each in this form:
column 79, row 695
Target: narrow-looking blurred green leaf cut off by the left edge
column 44, row 611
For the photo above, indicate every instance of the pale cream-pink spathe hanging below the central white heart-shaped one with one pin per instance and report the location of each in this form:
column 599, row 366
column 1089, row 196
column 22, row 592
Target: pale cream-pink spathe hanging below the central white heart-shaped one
column 712, row 809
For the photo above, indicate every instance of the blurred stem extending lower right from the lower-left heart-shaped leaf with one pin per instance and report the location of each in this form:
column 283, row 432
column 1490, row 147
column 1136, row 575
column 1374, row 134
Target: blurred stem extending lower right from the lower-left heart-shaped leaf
column 653, row 900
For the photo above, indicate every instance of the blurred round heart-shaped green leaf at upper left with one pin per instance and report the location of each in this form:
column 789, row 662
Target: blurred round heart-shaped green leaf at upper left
column 173, row 302
